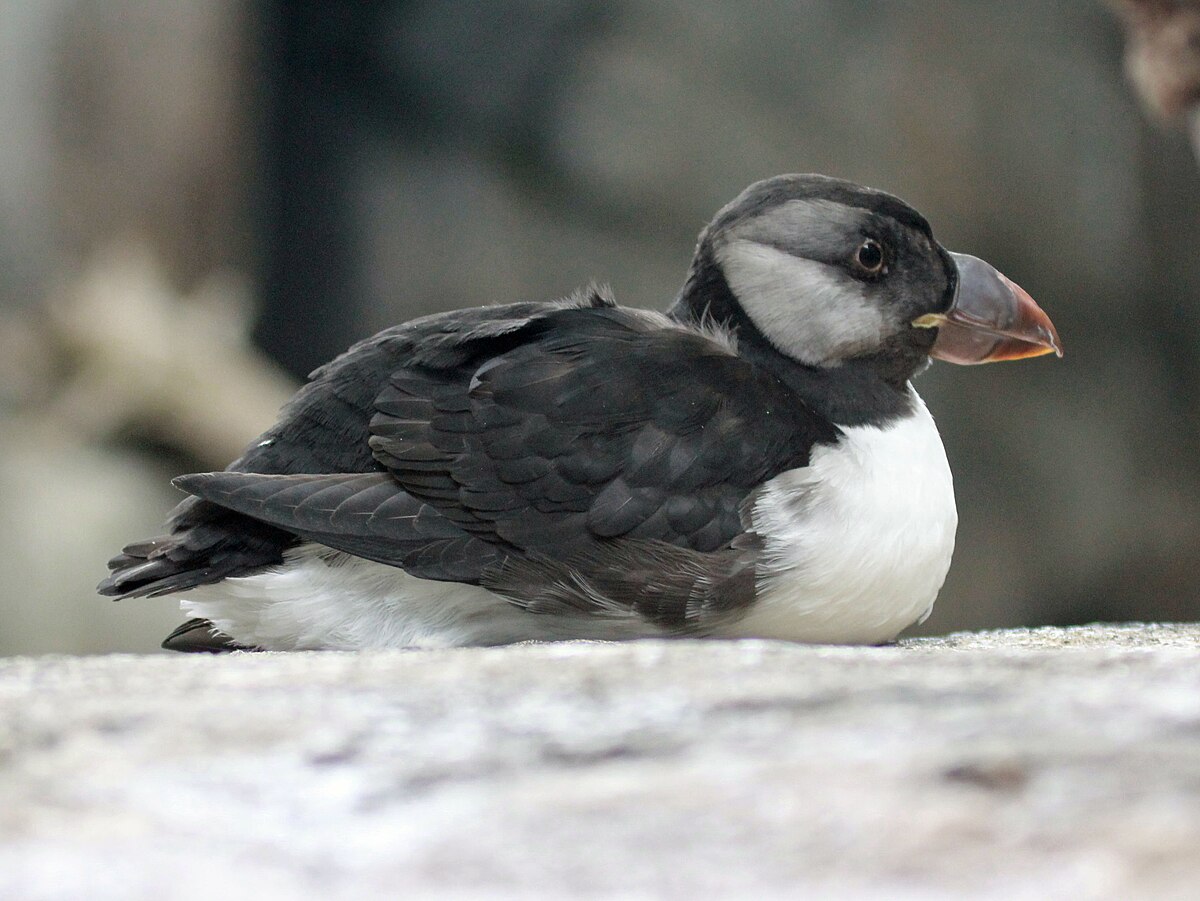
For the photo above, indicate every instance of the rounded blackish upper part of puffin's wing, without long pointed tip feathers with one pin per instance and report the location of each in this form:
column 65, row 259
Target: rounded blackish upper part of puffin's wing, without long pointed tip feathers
column 608, row 425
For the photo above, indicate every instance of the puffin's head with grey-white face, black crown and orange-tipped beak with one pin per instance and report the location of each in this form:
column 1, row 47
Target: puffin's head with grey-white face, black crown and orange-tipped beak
column 830, row 273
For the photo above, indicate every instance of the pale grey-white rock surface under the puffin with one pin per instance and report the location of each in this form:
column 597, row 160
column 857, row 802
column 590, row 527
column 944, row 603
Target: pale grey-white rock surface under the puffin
column 1009, row 765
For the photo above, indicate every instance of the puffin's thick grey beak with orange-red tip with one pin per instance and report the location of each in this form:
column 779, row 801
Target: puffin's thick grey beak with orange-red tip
column 991, row 320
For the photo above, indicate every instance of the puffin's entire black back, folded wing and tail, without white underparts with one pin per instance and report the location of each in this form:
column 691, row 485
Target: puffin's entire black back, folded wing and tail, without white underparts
column 572, row 458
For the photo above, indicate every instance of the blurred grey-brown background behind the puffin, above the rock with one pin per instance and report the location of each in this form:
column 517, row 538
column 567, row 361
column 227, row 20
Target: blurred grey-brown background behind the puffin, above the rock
column 202, row 202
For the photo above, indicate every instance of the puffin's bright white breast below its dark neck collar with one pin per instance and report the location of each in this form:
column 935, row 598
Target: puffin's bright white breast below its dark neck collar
column 859, row 543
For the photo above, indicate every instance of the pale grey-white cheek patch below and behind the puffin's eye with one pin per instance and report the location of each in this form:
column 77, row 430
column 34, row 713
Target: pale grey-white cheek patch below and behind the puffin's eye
column 808, row 310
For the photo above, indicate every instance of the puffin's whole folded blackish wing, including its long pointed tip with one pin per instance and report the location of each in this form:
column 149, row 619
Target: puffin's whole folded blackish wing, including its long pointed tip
column 605, row 439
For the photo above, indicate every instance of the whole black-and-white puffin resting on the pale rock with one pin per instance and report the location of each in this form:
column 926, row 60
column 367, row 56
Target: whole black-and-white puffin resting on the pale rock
column 754, row 462
